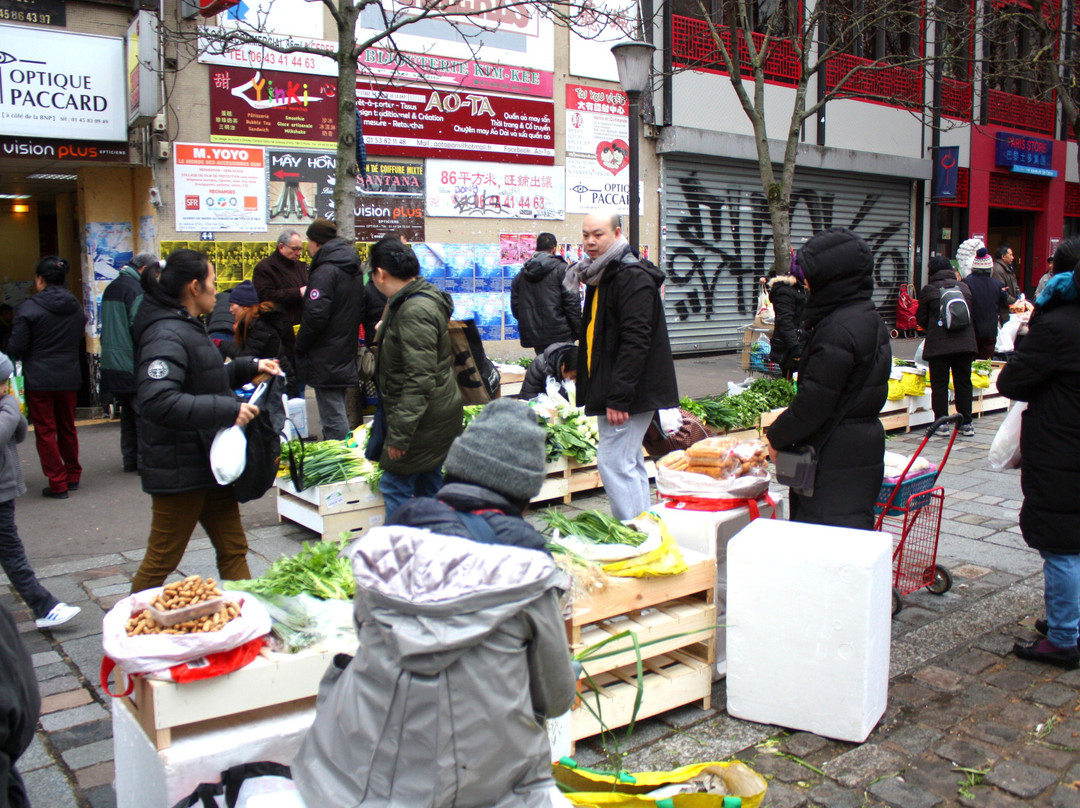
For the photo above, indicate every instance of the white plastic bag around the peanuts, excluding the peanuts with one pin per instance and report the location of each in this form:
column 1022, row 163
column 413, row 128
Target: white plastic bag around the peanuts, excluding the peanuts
column 148, row 653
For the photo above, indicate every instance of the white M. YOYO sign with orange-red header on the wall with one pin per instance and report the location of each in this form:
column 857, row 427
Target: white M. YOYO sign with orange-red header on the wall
column 220, row 188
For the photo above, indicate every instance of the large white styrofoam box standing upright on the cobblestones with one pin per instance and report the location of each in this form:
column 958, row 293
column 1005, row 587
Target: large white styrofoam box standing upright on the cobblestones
column 809, row 627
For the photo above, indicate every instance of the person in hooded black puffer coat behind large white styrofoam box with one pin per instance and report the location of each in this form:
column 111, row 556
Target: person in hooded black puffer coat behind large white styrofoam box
column 844, row 371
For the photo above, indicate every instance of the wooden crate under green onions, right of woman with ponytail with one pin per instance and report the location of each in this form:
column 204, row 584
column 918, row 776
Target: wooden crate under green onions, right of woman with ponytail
column 333, row 509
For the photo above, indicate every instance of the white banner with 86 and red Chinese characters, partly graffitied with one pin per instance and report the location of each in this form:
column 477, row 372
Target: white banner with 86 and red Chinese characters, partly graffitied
column 496, row 191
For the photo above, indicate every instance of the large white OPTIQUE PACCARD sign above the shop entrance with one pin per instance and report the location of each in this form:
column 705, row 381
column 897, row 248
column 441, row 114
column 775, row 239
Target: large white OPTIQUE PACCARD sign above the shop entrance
column 62, row 86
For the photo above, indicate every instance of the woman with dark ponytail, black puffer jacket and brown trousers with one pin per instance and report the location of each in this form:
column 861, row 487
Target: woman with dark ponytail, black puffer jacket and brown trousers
column 185, row 396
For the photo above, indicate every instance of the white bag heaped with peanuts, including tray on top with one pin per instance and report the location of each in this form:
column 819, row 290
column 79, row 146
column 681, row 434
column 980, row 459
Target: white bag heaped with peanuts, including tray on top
column 161, row 628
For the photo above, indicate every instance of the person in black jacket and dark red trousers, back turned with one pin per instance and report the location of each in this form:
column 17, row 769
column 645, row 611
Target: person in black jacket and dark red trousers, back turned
column 47, row 335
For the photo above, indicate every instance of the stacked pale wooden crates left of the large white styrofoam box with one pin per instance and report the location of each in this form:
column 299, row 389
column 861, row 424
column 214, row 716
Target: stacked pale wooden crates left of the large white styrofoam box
column 678, row 670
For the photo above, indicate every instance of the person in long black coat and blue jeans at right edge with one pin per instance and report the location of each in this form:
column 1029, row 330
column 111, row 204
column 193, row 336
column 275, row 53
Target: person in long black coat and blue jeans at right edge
column 1045, row 372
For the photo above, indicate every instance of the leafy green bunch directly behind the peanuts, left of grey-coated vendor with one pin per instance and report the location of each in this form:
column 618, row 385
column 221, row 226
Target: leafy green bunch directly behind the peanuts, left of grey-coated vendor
column 318, row 570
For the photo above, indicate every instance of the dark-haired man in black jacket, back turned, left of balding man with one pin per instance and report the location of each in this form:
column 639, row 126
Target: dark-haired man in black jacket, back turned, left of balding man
column 547, row 312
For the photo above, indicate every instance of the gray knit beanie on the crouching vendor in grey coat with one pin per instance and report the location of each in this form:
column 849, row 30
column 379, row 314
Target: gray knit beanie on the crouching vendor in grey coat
column 503, row 450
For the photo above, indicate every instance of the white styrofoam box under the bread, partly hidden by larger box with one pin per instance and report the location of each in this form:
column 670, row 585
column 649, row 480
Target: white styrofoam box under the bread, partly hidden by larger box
column 709, row 533
